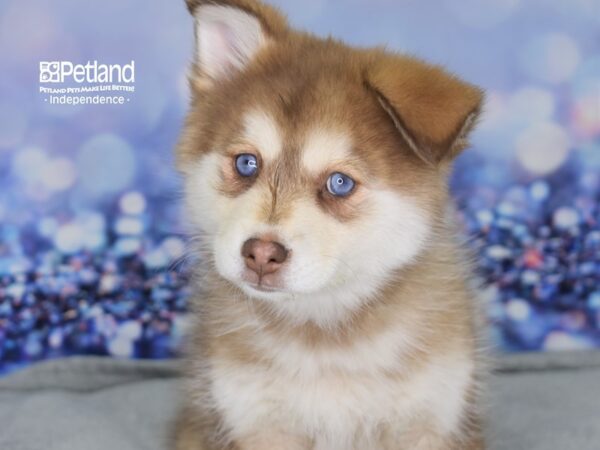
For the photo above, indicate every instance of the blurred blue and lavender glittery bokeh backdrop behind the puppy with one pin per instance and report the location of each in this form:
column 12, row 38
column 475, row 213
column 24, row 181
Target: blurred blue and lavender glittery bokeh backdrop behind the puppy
column 92, row 243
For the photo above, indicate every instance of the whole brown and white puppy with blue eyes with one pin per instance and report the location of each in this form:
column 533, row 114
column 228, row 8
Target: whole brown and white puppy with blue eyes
column 334, row 308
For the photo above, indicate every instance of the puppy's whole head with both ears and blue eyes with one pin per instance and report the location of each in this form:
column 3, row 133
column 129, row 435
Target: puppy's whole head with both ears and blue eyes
column 314, row 171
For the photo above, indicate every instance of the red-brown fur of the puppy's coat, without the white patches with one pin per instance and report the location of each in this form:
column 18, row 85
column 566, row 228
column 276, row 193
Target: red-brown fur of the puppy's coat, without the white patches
column 408, row 120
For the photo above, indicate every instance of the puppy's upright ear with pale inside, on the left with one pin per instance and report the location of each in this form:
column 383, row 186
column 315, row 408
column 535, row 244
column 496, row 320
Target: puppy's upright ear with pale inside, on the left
column 229, row 34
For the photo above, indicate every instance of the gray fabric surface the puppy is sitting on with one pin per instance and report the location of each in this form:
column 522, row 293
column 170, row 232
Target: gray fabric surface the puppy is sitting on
column 537, row 402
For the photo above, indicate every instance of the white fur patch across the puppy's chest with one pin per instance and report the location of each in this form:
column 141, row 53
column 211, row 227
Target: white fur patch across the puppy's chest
column 340, row 398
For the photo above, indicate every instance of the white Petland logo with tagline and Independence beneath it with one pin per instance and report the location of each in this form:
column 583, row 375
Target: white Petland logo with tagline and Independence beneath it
column 88, row 83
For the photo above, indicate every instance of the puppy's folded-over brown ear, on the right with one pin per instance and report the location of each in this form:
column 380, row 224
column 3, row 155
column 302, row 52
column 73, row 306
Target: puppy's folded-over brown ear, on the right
column 433, row 110
